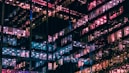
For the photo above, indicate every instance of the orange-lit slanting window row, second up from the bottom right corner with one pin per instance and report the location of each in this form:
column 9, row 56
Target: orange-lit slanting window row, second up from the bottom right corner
column 105, row 64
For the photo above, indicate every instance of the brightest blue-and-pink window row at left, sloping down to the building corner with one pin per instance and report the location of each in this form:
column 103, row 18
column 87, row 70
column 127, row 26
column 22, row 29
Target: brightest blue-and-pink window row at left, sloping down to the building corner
column 25, row 53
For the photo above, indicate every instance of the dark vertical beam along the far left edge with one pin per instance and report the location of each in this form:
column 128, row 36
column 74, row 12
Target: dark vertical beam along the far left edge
column 2, row 24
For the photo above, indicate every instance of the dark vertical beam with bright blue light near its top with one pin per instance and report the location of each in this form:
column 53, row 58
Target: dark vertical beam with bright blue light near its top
column 30, row 38
